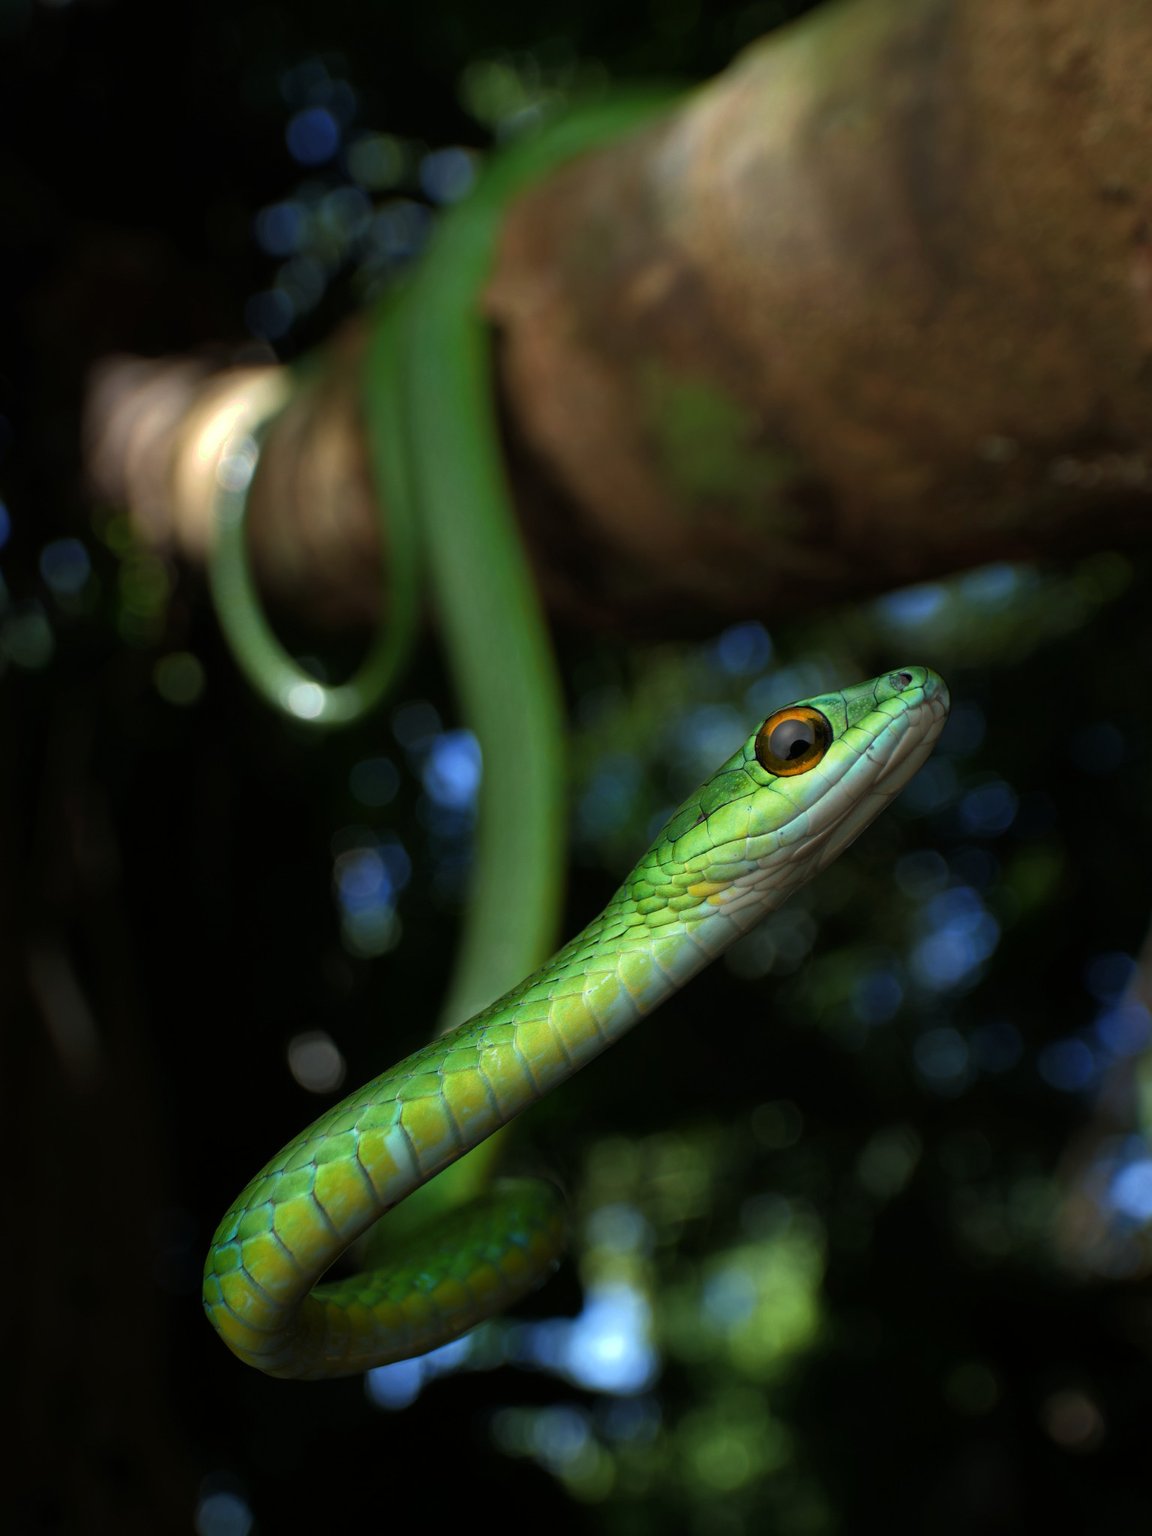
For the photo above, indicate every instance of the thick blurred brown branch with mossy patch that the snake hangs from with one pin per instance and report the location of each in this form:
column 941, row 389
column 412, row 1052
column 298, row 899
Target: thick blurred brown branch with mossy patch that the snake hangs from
column 872, row 306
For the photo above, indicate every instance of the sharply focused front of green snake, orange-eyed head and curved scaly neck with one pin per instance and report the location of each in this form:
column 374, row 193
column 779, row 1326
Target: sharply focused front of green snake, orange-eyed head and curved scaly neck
column 799, row 790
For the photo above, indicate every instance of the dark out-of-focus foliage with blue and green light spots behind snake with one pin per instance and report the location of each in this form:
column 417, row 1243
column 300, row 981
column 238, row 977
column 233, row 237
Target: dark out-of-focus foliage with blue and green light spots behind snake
column 859, row 1219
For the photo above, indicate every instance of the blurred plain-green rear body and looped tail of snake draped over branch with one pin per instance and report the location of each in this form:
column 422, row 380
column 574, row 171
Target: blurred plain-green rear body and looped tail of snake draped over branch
column 446, row 515
